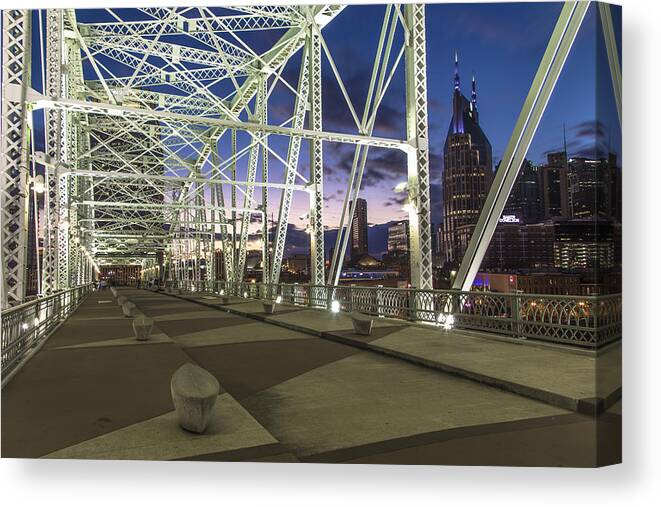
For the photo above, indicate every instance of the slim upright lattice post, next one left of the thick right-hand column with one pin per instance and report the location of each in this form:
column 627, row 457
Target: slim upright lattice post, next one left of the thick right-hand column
column 317, row 261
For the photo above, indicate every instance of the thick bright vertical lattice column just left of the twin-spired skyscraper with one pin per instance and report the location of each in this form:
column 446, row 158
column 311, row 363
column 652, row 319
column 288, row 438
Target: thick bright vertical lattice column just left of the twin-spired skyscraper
column 418, row 158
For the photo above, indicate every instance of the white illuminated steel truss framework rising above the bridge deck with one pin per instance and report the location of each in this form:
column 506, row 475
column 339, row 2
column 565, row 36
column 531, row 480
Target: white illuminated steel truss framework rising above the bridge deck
column 148, row 116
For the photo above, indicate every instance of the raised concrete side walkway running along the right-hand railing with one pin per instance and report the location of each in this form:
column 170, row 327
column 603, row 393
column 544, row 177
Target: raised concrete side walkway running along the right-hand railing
column 571, row 379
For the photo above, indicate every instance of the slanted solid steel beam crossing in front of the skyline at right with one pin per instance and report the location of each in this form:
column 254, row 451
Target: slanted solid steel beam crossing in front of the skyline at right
column 542, row 86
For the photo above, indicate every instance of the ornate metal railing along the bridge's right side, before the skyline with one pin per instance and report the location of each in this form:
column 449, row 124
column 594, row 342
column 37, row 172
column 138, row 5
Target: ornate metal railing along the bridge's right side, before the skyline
column 583, row 321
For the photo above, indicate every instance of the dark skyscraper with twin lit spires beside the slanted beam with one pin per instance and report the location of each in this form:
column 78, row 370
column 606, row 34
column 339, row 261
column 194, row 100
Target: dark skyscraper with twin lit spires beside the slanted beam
column 467, row 175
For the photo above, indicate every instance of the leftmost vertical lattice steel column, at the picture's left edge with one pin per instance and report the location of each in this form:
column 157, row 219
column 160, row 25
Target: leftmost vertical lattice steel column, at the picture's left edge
column 15, row 149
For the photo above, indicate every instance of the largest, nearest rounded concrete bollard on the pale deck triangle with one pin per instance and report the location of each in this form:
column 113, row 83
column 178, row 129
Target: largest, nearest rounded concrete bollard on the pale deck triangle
column 194, row 393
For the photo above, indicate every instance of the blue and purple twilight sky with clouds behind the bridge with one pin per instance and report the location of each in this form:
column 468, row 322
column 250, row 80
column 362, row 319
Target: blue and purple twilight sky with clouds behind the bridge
column 501, row 44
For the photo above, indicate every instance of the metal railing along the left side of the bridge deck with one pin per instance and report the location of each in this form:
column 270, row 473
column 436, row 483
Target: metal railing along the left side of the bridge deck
column 26, row 326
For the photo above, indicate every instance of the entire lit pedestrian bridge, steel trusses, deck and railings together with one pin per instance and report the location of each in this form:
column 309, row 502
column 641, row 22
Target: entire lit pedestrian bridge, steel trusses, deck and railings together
column 157, row 127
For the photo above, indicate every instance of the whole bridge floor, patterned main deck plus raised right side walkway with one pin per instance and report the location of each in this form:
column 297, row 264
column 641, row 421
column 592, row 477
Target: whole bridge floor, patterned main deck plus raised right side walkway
column 300, row 385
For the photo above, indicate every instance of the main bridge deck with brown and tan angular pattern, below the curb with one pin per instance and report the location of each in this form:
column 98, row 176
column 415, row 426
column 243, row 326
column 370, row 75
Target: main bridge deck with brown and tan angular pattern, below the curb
column 94, row 392
